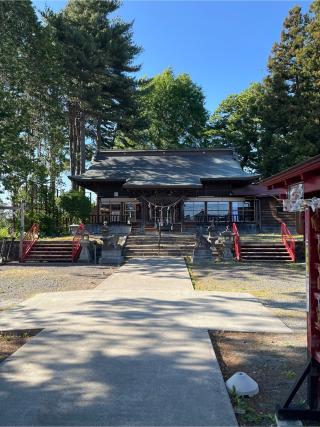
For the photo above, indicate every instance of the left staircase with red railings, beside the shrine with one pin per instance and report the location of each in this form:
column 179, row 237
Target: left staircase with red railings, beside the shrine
column 51, row 251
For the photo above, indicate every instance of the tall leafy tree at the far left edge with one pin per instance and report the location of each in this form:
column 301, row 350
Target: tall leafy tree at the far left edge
column 32, row 137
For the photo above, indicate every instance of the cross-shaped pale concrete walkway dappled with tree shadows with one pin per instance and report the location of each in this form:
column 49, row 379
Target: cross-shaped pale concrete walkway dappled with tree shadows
column 134, row 351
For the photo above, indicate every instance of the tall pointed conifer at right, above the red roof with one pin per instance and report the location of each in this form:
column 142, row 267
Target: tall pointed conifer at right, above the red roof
column 286, row 137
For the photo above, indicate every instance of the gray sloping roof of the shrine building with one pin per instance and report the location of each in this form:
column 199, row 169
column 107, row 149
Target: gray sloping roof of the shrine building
column 158, row 168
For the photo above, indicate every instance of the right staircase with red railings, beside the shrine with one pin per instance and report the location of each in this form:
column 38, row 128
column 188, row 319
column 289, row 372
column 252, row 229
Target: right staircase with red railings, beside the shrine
column 264, row 252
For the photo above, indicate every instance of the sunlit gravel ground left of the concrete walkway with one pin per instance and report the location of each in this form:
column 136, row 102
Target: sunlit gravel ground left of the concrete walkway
column 19, row 282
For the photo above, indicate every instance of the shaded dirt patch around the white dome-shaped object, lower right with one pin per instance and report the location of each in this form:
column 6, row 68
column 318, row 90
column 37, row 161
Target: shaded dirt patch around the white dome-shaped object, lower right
column 275, row 361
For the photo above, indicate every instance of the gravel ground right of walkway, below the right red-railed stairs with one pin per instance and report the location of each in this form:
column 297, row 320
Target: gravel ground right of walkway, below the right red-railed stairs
column 280, row 287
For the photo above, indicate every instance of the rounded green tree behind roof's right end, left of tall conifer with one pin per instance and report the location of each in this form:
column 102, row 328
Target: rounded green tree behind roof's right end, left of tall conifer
column 237, row 123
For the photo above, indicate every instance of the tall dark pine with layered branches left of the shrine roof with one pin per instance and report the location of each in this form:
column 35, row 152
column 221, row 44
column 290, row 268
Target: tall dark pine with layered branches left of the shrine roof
column 97, row 56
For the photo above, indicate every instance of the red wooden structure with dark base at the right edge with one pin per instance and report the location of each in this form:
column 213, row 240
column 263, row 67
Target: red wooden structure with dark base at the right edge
column 299, row 186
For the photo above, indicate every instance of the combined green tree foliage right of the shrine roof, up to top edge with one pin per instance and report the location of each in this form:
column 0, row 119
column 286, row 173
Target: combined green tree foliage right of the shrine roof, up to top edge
column 275, row 124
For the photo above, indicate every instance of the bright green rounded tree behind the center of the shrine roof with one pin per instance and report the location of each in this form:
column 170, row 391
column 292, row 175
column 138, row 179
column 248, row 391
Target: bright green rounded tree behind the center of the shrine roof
column 173, row 109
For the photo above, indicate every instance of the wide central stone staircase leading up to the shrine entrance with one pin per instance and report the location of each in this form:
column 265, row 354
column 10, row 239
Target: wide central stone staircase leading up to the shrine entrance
column 146, row 245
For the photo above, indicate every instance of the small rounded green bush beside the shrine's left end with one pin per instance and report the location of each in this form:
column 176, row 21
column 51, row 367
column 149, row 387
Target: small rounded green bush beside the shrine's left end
column 76, row 205
